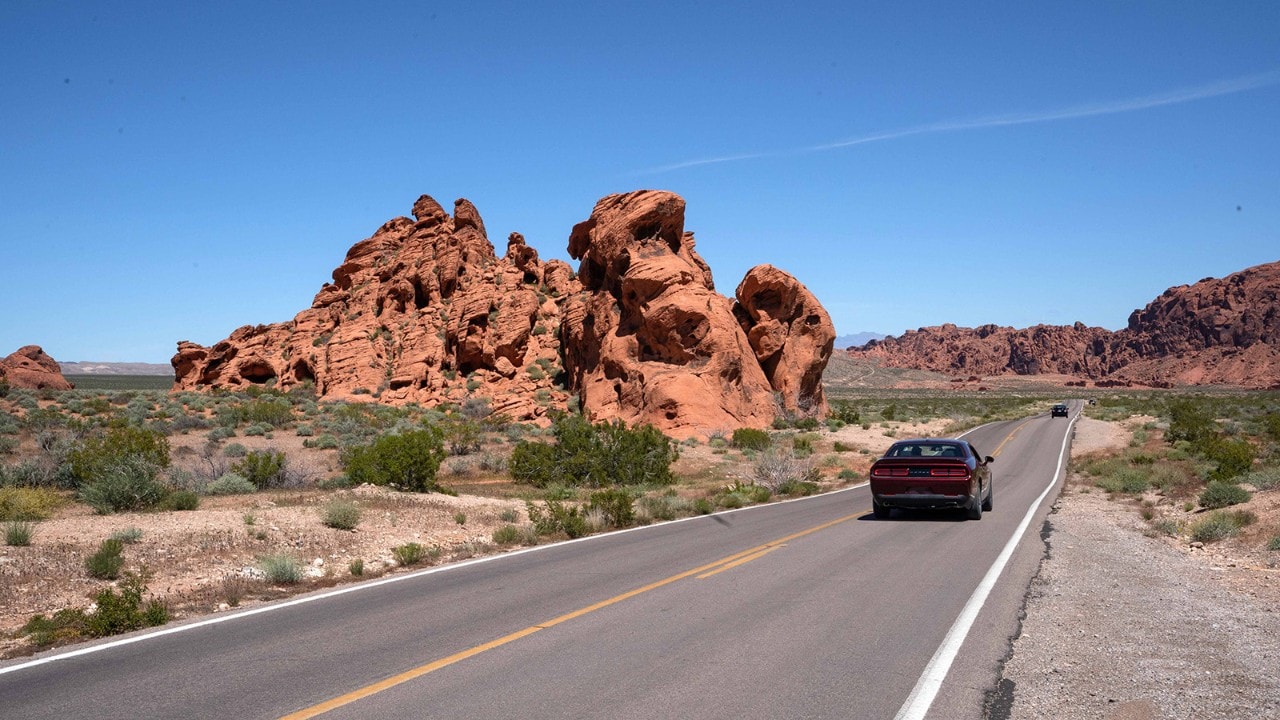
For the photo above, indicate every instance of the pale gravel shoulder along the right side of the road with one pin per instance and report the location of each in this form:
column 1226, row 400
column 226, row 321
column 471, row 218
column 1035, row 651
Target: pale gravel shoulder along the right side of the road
column 1121, row 626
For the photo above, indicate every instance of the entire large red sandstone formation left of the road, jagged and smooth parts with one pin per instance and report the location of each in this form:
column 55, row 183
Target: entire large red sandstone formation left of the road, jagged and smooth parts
column 426, row 312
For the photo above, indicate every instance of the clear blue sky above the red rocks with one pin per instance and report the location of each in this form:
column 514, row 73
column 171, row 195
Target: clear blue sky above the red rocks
column 175, row 171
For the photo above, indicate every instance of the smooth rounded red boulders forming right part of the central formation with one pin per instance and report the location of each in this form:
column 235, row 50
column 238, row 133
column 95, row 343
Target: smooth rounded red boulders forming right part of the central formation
column 650, row 340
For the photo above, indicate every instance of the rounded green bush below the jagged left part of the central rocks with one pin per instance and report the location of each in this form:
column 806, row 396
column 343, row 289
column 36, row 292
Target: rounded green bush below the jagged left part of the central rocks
column 409, row 461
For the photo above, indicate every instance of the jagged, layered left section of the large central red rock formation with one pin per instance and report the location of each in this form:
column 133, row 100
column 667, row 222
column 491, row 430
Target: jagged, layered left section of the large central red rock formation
column 422, row 312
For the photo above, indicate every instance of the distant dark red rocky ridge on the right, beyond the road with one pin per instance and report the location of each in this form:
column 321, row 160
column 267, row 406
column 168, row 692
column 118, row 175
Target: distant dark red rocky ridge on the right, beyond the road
column 1214, row 332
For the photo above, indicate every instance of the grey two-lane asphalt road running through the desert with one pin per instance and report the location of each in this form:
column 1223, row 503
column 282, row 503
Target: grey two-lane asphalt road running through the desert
column 804, row 609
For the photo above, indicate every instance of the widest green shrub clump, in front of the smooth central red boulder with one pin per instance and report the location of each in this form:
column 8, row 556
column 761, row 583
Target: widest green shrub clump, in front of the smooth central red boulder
column 609, row 454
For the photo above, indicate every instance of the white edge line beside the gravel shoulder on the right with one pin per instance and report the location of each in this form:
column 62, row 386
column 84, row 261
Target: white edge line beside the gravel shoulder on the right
column 921, row 700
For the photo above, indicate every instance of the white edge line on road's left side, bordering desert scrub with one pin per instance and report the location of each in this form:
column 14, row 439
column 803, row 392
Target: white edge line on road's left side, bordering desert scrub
column 365, row 586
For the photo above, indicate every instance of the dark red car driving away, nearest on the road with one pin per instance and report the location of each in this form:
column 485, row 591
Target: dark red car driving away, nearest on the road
column 930, row 475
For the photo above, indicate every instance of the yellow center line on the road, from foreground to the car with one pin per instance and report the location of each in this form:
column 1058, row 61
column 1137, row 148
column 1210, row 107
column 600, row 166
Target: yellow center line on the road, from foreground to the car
column 724, row 564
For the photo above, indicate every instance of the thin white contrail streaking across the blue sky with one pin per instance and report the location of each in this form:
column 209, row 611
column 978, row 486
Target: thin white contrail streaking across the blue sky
column 1145, row 103
